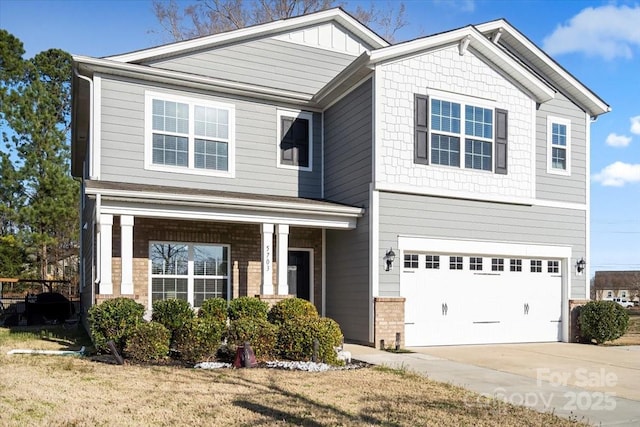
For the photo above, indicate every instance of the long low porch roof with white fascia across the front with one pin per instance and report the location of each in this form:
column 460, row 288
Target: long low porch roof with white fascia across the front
column 194, row 204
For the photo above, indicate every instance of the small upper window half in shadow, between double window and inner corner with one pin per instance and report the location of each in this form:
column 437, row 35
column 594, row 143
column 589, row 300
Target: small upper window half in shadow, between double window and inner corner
column 295, row 140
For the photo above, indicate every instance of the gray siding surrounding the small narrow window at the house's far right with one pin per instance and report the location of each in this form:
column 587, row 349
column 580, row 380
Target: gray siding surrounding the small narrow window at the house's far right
column 557, row 187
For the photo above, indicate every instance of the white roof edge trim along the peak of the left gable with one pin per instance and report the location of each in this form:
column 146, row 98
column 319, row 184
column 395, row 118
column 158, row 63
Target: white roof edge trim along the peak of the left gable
column 338, row 15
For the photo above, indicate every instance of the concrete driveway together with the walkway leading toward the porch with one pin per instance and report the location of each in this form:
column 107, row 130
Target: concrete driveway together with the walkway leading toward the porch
column 597, row 385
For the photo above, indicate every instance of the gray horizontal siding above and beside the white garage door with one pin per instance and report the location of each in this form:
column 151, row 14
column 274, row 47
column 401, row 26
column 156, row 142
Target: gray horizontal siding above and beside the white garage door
column 412, row 215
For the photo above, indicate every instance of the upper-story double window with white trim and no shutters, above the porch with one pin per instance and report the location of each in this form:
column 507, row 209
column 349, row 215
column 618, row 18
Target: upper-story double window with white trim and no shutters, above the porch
column 189, row 135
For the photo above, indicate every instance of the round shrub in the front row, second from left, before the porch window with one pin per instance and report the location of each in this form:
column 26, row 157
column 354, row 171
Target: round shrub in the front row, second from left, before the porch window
column 199, row 339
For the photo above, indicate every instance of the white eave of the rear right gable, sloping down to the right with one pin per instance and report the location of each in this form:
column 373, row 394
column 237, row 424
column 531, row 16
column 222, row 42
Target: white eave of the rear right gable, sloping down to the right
column 512, row 40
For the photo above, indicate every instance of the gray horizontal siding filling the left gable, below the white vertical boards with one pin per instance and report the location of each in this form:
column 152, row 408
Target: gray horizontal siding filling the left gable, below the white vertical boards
column 273, row 63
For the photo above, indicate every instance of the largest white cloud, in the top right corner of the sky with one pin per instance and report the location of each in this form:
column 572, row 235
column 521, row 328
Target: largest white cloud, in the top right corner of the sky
column 607, row 31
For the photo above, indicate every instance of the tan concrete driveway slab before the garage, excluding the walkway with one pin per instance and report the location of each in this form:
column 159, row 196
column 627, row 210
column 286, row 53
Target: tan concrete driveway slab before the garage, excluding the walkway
column 602, row 369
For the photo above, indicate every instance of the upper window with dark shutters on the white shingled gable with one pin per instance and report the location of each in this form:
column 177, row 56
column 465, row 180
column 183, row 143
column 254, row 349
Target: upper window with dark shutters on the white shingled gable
column 448, row 131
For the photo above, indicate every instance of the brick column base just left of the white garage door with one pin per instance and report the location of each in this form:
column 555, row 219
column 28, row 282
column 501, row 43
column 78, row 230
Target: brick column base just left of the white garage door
column 389, row 320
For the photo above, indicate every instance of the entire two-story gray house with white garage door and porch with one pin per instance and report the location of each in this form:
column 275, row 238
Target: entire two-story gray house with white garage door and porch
column 296, row 157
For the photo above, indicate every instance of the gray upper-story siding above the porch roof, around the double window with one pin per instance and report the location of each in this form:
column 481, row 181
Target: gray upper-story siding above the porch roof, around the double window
column 122, row 147
